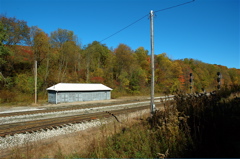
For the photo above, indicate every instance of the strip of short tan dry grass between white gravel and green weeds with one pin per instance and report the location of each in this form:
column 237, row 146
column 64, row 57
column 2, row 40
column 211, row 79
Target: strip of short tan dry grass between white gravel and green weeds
column 75, row 143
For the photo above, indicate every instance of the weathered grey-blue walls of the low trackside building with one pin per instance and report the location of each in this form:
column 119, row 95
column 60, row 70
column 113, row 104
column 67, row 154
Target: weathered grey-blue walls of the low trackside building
column 67, row 97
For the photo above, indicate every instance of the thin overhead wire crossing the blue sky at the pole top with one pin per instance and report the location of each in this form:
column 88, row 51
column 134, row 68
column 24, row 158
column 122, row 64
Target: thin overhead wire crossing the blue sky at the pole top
column 143, row 18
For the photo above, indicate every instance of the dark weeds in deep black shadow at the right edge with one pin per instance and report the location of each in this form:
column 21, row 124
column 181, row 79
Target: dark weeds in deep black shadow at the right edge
column 214, row 121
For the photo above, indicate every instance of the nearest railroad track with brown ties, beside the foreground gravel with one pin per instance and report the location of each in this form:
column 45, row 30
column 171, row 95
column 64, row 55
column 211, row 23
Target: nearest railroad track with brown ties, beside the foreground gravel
column 58, row 122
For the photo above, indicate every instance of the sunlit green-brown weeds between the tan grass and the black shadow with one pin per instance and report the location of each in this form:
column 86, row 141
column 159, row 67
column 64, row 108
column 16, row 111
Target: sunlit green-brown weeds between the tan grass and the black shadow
column 165, row 134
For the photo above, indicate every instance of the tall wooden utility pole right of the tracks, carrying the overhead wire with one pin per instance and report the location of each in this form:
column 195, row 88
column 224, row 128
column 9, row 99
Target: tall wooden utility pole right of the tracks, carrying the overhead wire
column 152, row 105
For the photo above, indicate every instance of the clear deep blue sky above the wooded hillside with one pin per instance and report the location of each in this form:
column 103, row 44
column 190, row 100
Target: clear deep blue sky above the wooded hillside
column 205, row 30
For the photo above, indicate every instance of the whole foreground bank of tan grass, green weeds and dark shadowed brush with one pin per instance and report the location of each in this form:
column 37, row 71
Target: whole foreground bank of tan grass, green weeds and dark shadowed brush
column 194, row 125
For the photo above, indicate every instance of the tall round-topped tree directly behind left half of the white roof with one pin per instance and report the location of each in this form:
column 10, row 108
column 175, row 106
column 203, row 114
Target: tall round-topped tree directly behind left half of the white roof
column 67, row 50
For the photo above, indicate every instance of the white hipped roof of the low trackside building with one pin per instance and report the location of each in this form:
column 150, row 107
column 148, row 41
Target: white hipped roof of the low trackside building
column 79, row 87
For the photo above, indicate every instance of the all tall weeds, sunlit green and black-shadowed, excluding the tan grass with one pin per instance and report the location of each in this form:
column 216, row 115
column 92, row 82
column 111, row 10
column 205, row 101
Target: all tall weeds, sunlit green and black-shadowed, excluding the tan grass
column 194, row 125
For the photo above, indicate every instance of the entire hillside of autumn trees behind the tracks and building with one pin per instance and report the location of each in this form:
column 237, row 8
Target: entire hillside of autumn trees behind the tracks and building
column 61, row 58
